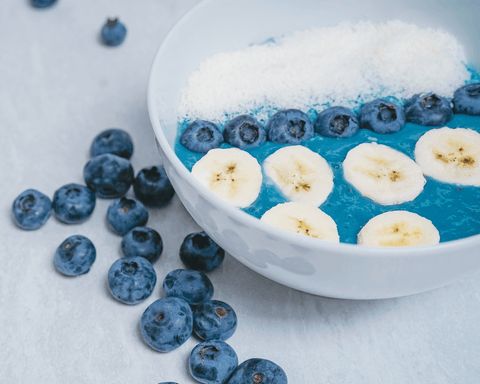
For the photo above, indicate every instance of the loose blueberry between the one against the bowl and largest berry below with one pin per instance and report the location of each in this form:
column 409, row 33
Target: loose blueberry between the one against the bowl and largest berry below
column 192, row 286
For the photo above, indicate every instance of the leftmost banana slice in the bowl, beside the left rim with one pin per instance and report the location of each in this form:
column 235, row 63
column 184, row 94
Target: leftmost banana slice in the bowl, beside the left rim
column 232, row 174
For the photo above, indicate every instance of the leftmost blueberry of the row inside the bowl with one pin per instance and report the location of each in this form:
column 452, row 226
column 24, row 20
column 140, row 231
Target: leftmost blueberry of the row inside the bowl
column 201, row 136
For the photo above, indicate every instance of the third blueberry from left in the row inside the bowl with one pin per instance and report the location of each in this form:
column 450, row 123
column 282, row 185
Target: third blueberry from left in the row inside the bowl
column 289, row 126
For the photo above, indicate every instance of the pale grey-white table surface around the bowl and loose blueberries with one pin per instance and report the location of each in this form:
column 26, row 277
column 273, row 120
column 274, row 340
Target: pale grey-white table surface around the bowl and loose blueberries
column 59, row 87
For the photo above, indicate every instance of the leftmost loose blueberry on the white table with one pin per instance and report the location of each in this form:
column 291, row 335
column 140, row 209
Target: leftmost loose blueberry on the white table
column 31, row 209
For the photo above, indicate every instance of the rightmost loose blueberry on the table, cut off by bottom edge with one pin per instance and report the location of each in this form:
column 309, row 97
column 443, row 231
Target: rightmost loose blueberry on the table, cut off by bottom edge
column 255, row 371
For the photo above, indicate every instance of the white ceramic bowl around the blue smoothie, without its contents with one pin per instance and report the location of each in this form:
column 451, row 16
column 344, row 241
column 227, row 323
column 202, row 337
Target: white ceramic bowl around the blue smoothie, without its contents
column 310, row 265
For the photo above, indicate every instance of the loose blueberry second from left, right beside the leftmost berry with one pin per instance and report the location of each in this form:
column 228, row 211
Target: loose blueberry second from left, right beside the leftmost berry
column 73, row 203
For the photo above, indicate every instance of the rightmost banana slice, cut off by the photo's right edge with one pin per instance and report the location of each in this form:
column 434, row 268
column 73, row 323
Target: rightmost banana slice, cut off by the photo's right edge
column 450, row 155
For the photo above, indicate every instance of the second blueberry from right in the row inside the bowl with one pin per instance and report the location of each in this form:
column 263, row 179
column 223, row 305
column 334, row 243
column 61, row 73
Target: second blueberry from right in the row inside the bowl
column 428, row 110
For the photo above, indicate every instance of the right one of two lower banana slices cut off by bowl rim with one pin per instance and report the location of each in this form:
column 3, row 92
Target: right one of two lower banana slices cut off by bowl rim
column 398, row 229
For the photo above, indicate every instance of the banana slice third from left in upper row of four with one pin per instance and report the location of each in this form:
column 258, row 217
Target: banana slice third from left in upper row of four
column 383, row 174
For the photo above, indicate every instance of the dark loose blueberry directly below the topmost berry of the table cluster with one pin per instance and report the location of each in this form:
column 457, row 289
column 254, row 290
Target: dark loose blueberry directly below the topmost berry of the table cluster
column 109, row 176
